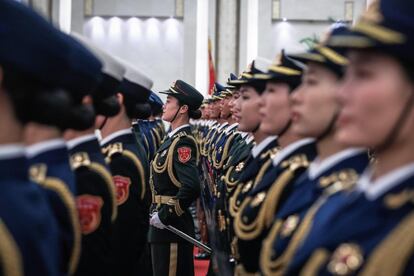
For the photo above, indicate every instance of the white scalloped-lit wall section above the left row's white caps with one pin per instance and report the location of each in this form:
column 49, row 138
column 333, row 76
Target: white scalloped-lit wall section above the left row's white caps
column 153, row 45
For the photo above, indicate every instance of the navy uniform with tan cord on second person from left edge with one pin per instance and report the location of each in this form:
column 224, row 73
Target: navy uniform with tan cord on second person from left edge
column 50, row 168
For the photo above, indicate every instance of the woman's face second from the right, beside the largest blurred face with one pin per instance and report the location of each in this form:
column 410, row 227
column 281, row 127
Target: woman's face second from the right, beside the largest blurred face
column 314, row 104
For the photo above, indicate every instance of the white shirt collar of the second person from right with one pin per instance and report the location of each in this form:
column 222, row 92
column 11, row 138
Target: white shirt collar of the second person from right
column 317, row 167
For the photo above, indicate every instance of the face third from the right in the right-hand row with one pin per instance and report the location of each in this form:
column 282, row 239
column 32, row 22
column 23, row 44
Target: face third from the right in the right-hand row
column 275, row 110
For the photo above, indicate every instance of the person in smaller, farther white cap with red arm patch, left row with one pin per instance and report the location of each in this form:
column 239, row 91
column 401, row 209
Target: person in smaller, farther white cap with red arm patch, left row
column 130, row 169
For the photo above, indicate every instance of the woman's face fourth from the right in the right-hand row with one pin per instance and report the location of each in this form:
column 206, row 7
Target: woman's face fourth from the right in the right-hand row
column 249, row 105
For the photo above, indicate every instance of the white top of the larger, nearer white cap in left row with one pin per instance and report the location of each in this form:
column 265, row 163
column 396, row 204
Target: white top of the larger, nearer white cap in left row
column 111, row 66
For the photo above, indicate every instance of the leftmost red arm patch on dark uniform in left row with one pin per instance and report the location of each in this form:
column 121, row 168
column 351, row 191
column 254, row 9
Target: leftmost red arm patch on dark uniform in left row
column 89, row 210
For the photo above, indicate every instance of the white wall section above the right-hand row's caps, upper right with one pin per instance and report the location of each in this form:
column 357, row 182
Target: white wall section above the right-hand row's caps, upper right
column 304, row 18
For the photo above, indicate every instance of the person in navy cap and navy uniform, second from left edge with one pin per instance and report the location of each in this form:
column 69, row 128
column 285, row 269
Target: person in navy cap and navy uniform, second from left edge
column 48, row 154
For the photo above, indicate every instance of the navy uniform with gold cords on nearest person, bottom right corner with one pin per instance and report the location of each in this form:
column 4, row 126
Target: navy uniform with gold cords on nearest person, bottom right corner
column 364, row 232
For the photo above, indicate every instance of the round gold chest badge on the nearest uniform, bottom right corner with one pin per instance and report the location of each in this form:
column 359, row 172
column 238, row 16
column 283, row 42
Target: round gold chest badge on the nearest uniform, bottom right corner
column 346, row 259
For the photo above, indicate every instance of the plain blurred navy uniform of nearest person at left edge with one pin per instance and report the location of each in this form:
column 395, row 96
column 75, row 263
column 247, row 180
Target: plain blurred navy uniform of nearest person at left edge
column 26, row 214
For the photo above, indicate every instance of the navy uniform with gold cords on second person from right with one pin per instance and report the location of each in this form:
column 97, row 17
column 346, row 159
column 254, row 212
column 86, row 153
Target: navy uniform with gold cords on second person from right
column 285, row 236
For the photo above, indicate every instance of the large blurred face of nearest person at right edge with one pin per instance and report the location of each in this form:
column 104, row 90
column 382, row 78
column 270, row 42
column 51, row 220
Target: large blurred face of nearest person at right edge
column 373, row 95
